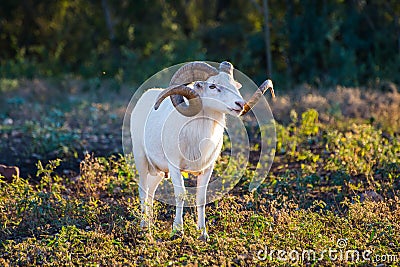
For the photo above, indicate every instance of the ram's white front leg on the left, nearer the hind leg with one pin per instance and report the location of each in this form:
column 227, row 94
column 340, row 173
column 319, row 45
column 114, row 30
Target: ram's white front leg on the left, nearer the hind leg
column 179, row 191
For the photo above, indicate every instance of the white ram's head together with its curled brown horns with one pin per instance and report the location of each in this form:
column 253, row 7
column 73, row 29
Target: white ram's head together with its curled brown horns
column 219, row 79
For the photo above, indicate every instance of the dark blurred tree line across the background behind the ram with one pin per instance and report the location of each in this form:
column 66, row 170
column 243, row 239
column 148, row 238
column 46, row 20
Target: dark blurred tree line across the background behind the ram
column 320, row 42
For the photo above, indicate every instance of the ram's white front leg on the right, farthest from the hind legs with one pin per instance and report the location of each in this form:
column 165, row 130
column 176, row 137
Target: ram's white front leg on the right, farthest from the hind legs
column 202, row 183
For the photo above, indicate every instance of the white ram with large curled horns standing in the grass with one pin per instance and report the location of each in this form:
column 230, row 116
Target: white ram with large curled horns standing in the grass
column 170, row 137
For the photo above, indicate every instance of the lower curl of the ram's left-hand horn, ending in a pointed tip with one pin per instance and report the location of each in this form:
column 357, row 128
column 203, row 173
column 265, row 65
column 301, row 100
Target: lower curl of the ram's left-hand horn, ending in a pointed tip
column 177, row 93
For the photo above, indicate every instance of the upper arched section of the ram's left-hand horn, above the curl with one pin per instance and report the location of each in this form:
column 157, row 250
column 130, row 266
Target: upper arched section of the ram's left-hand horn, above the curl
column 193, row 71
